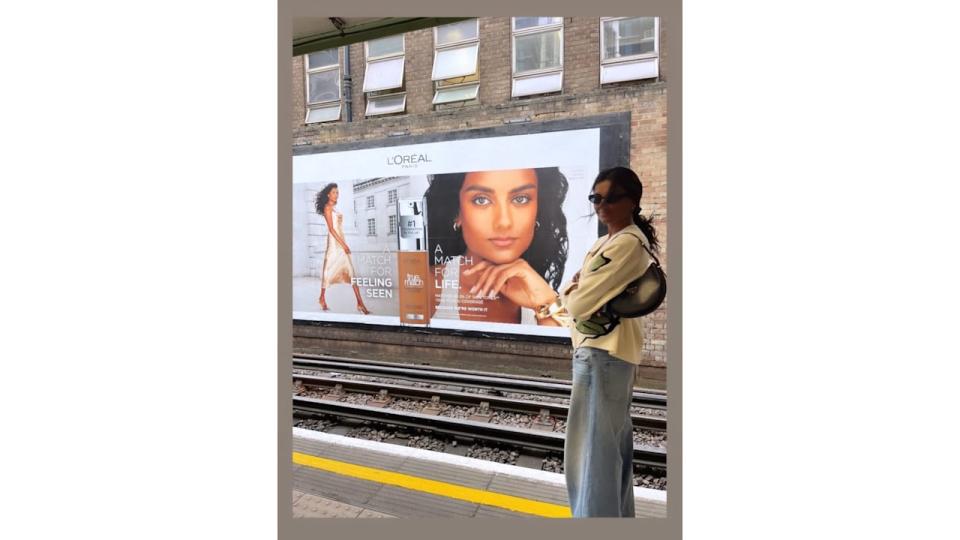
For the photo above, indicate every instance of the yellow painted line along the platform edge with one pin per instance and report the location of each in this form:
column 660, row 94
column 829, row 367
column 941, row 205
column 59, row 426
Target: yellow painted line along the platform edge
column 444, row 489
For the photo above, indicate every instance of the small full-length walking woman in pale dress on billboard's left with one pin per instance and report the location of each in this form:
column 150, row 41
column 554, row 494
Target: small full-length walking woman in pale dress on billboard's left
column 337, row 265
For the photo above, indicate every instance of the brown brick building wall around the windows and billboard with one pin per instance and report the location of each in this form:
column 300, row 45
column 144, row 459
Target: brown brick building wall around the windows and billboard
column 582, row 96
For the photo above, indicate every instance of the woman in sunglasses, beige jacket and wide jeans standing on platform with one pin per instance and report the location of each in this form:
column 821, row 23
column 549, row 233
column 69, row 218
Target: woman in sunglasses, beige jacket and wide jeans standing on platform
column 598, row 454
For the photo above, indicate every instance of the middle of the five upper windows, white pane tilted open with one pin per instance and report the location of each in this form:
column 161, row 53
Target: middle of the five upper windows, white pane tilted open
column 455, row 74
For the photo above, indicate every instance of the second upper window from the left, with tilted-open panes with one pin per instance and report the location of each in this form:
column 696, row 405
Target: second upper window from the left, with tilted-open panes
column 383, row 75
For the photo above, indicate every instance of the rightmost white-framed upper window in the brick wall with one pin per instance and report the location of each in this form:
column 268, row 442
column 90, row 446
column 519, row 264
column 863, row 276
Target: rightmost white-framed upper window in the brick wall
column 629, row 48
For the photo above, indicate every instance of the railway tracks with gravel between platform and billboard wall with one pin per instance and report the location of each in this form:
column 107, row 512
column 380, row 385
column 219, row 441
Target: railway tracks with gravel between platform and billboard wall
column 322, row 392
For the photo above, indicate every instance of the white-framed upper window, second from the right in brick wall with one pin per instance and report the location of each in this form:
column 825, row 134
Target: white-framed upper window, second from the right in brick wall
column 537, row 55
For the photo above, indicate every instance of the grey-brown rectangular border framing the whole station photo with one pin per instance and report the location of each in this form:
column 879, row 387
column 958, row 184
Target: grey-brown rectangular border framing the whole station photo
column 669, row 527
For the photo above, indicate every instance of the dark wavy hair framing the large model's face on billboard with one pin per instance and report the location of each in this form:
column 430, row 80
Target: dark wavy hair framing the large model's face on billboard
column 547, row 253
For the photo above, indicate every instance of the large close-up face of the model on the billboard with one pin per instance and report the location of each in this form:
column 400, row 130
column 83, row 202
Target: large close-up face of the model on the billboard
column 498, row 213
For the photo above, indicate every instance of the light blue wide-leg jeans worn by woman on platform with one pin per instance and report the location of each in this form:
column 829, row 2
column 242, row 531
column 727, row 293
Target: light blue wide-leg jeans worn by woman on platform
column 598, row 452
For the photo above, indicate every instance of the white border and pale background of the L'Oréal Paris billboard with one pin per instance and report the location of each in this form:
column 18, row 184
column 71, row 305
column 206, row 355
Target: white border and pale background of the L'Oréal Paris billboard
column 575, row 152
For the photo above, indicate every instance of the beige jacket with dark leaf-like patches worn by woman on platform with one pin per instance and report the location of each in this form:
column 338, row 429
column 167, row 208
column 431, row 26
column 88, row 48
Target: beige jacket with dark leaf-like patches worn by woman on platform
column 607, row 269
